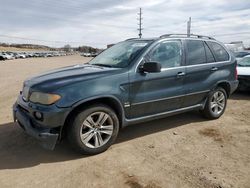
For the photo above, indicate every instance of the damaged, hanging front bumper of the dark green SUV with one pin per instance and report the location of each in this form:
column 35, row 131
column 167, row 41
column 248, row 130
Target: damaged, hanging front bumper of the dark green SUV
column 47, row 130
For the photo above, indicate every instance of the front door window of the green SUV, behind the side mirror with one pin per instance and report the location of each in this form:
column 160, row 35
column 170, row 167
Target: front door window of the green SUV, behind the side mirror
column 167, row 53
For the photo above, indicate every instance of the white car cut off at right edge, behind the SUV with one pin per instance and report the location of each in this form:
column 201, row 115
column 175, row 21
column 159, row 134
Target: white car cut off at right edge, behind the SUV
column 244, row 73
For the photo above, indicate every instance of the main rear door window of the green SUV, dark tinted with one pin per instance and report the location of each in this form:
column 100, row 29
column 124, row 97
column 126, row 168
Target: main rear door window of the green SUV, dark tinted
column 195, row 52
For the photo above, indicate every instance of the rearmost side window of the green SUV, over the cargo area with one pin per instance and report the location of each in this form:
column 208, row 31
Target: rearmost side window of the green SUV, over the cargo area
column 219, row 52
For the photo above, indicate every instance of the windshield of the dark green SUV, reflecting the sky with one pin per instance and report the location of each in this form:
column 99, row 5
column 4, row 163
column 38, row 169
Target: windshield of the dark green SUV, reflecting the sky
column 119, row 55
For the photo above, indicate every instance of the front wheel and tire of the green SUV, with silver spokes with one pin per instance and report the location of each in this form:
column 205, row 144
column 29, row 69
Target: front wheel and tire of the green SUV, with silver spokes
column 93, row 130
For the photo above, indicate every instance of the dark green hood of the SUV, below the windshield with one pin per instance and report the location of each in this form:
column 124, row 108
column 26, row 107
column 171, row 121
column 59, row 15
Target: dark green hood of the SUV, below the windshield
column 55, row 79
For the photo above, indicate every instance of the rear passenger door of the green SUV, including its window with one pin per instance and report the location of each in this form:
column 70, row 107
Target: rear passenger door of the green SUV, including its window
column 199, row 65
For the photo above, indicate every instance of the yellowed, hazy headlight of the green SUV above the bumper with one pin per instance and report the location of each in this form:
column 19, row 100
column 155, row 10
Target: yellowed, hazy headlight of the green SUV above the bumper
column 44, row 98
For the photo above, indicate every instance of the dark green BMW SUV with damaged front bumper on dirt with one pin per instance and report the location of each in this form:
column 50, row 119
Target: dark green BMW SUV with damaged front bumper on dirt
column 133, row 81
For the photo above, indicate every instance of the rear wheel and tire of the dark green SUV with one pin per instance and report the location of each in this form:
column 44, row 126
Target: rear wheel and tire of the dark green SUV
column 216, row 104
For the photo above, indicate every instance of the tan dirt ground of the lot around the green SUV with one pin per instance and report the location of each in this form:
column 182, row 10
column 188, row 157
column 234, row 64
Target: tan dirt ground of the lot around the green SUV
column 181, row 151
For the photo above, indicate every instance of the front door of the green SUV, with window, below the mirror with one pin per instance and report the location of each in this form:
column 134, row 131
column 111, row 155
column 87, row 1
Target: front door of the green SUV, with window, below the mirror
column 152, row 93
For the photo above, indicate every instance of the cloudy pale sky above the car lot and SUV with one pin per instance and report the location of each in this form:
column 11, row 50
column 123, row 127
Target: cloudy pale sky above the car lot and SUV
column 98, row 23
